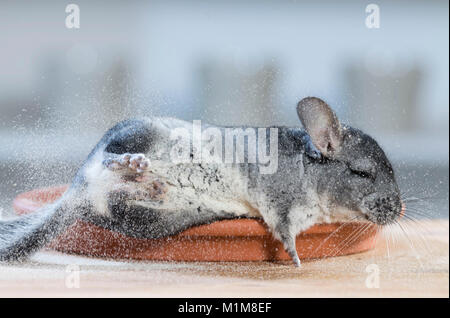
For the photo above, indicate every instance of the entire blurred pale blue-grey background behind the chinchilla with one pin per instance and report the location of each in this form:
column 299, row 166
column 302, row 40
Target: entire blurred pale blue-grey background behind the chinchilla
column 224, row 62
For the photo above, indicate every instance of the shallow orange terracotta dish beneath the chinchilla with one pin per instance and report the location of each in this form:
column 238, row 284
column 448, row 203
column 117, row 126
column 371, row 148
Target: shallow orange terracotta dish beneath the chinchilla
column 229, row 240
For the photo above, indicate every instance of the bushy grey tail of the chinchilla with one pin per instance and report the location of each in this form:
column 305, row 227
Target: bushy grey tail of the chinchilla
column 22, row 236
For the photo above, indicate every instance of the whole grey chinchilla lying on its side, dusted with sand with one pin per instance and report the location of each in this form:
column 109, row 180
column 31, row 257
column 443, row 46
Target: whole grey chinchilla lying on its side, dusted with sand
column 134, row 182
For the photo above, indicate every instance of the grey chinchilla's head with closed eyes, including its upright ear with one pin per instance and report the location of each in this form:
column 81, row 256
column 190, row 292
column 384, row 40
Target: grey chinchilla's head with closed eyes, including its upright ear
column 355, row 174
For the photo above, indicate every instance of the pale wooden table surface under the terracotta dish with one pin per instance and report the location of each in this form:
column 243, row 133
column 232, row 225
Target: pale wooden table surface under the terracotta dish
column 412, row 265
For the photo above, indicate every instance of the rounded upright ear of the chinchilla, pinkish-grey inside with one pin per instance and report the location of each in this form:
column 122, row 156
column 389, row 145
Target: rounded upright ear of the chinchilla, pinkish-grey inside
column 321, row 124
